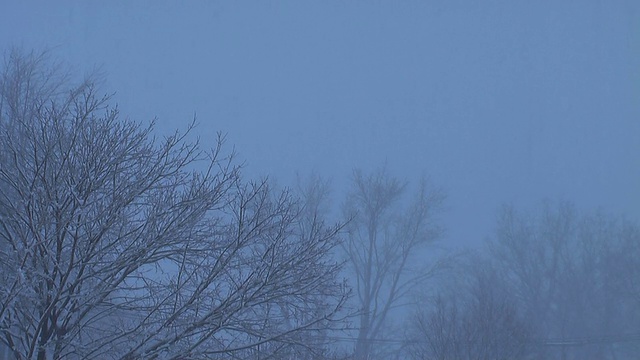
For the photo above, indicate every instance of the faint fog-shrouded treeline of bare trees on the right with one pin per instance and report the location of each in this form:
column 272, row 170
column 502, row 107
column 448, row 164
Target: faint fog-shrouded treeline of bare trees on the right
column 553, row 283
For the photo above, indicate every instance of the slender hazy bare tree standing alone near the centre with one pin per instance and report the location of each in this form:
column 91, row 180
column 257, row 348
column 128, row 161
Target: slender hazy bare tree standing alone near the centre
column 382, row 237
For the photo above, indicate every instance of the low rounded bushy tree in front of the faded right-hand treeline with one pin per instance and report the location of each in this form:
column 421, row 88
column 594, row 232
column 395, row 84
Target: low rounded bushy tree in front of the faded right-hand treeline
column 474, row 320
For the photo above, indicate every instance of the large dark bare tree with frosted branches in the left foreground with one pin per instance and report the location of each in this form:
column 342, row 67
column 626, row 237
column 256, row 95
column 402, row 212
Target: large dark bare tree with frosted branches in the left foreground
column 116, row 245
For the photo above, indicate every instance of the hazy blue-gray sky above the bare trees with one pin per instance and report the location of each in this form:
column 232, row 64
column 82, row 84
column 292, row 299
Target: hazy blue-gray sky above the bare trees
column 498, row 101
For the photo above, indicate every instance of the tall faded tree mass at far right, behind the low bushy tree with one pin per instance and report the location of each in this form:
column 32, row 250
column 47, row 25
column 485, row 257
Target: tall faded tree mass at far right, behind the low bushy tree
column 570, row 273
